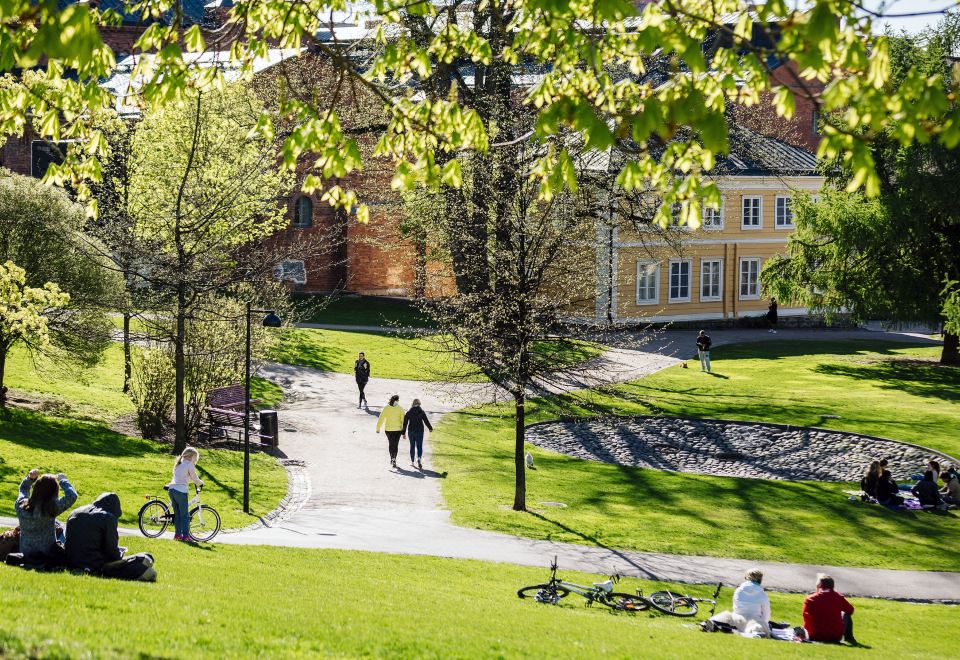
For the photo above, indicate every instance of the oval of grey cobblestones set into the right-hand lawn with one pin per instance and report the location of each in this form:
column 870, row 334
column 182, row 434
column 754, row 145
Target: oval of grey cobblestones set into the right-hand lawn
column 729, row 449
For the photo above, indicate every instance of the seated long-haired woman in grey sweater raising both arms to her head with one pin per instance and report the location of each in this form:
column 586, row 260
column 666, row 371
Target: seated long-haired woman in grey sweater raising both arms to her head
column 37, row 509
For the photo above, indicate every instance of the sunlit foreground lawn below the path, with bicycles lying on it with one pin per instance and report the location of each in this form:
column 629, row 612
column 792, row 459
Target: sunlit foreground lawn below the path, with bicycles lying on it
column 231, row 601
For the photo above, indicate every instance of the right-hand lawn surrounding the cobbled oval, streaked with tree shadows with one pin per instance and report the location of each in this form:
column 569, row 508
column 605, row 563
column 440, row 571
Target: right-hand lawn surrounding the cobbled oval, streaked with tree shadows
column 692, row 514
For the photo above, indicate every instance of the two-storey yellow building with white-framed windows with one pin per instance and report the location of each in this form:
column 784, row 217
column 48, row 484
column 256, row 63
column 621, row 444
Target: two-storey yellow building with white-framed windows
column 712, row 273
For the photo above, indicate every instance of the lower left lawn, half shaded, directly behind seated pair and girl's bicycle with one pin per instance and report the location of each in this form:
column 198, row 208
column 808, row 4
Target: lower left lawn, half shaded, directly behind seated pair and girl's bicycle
column 97, row 459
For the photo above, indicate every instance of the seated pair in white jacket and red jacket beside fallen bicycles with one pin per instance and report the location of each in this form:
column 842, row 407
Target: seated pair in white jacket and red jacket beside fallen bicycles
column 827, row 614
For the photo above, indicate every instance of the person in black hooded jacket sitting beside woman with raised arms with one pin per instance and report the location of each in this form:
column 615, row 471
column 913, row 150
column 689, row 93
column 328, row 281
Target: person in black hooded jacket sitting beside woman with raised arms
column 92, row 543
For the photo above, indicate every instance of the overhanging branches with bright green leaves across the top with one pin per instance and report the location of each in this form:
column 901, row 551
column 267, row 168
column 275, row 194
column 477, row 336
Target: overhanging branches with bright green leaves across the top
column 571, row 42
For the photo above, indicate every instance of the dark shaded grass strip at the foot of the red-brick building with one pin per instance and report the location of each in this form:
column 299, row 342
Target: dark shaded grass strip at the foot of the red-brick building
column 356, row 310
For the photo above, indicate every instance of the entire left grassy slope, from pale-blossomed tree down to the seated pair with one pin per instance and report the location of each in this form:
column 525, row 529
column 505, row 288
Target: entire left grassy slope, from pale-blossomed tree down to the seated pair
column 78, row 442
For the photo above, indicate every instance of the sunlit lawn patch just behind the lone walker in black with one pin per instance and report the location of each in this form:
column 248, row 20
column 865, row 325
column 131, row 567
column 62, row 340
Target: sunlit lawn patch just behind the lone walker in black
column 390, row 355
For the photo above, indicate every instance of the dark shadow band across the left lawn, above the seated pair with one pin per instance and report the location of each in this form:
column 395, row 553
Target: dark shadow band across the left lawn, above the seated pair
column 37, row 431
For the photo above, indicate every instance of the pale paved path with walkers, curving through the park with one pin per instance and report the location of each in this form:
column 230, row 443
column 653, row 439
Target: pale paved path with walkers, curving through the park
column 357, row 502
